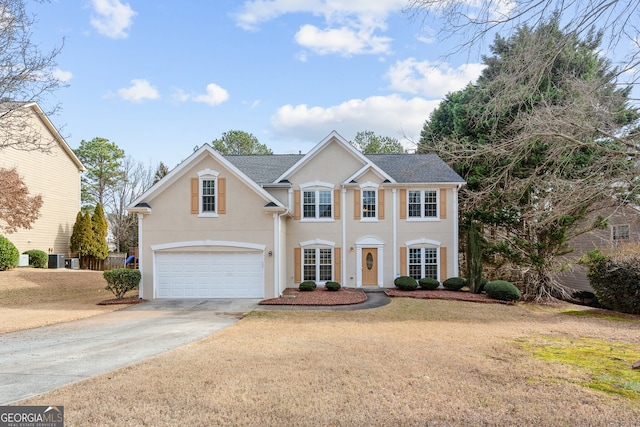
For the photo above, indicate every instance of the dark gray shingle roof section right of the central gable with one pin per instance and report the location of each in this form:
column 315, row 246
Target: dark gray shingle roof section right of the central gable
column 416, row 168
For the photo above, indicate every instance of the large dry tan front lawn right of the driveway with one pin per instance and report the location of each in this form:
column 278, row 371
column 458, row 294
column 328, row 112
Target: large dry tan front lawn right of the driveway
column 412, row 362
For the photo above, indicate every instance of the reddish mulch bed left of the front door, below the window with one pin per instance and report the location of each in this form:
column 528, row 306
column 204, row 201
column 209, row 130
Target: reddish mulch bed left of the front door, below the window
column 319, row 296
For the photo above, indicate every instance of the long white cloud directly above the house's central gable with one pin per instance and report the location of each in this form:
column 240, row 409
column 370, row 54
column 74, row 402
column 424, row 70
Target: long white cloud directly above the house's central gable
column 390, row 115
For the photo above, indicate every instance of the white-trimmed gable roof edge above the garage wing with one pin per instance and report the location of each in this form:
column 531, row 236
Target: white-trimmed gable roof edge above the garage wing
column 185, row 166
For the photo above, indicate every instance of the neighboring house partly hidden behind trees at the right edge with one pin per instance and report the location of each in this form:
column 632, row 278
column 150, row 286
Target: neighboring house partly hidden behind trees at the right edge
column 624, row 226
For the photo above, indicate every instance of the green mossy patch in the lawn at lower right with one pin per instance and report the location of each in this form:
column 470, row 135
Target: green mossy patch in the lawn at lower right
column 607, row 364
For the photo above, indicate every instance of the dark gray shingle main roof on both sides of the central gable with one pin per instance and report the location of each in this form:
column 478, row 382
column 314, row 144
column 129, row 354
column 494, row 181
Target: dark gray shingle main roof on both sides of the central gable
column 403, row 168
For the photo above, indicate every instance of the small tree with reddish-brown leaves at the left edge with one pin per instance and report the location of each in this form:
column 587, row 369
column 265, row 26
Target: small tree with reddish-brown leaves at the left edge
column 17, row 208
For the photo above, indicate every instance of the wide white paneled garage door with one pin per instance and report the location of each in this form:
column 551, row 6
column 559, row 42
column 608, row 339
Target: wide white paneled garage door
column 209, row 275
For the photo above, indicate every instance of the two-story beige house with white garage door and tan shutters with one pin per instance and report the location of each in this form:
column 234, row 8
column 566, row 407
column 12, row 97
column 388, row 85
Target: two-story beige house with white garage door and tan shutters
column 250, row 226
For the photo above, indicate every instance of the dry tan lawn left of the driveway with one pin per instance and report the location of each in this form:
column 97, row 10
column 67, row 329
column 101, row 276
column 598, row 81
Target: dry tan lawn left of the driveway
column 34, row 297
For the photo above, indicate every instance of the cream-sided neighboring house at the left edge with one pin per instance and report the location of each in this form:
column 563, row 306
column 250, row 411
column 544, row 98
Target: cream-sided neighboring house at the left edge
column 54, row 174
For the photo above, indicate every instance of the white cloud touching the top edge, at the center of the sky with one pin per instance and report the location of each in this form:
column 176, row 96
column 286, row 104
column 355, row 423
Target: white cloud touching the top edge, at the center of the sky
column 351, row 26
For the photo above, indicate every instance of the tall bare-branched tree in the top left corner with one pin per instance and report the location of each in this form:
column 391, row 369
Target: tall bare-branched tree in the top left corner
column 26, row 76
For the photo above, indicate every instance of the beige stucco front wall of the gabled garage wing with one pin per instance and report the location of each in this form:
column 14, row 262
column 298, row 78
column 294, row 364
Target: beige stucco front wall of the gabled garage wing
column 171, row 222
